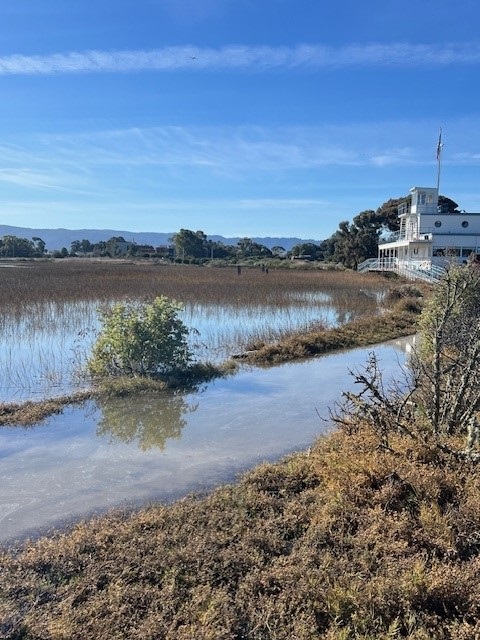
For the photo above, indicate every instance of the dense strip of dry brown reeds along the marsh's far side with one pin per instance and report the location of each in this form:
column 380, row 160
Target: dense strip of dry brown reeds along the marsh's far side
column 78, row 279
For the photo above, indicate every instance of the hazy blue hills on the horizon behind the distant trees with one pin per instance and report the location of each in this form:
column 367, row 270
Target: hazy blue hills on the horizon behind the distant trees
column 58, row 238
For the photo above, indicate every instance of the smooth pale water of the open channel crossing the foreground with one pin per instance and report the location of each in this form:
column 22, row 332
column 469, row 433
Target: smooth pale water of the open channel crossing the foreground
column 62, row 469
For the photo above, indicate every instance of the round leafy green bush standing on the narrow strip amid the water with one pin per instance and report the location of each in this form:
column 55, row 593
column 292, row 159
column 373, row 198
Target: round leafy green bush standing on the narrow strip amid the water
column 141, row 339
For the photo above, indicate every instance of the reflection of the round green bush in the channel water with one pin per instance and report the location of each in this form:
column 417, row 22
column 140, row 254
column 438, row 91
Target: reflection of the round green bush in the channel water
column 150, row 419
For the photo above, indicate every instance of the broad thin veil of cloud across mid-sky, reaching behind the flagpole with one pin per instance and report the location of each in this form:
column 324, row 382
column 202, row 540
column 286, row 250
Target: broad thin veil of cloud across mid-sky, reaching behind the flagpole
column 134, row 161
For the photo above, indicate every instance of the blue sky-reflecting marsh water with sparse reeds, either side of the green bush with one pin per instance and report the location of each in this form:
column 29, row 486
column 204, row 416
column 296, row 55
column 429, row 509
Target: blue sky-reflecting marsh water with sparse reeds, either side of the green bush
column 43, row 350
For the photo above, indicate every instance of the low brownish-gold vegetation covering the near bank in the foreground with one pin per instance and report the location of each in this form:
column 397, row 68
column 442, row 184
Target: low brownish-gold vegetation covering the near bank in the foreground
column 345, row 541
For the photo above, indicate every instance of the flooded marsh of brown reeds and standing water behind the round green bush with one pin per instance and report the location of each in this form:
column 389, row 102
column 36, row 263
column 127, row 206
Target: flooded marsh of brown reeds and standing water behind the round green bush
column 49, row 311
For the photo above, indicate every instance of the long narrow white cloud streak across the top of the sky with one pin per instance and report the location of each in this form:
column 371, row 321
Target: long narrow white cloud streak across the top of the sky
column 242, row 58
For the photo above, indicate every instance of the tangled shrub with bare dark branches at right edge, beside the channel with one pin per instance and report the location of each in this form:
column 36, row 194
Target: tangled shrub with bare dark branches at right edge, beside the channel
column 439, row 404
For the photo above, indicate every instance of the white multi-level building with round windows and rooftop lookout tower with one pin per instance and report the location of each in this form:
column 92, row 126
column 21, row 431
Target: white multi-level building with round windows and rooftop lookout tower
column 428, row 237
